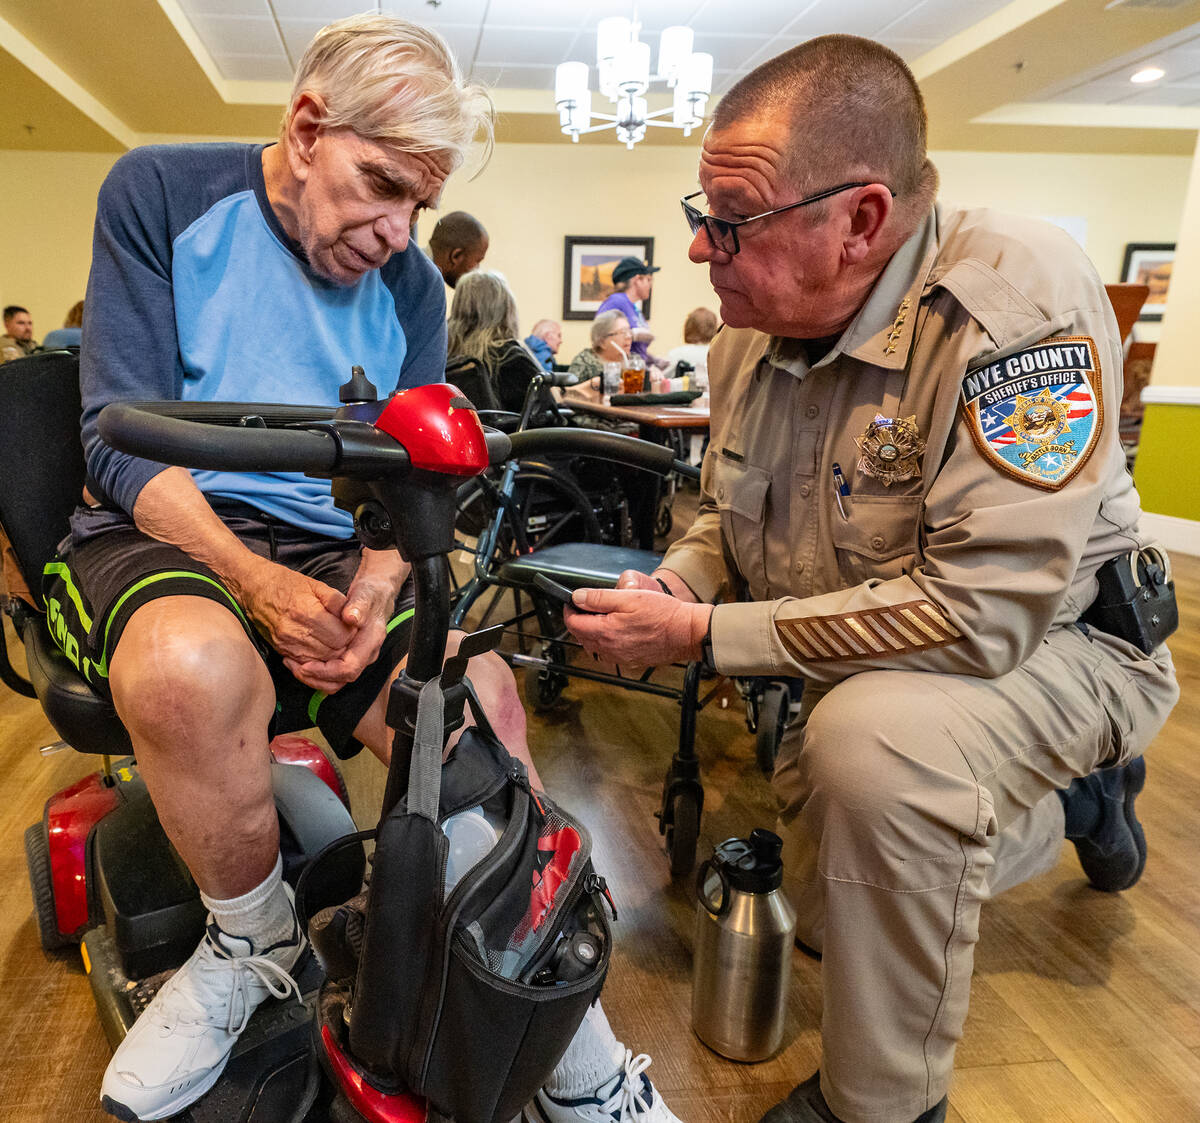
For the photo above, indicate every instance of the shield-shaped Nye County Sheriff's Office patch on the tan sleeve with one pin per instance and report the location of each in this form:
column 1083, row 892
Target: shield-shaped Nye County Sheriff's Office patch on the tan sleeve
column 1037, row 415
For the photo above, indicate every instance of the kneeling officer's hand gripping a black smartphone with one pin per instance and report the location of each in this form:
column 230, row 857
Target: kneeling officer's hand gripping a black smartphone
column 637, row 627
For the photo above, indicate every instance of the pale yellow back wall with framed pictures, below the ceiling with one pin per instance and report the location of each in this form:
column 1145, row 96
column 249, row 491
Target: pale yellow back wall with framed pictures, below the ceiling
column 531, row 196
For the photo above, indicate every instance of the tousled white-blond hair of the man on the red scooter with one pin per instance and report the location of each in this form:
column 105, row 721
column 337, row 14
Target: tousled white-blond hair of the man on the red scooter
column 392, row 81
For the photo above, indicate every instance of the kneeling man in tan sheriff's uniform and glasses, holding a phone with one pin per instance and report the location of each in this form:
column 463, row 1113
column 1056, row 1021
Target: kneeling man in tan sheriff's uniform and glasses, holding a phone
column 916, row 489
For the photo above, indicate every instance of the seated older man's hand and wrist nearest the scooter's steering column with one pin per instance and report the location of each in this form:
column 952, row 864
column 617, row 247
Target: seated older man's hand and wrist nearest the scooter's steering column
column 368, row 609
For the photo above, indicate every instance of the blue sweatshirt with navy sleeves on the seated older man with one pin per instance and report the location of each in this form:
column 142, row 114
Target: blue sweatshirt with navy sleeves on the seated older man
column 199, row 295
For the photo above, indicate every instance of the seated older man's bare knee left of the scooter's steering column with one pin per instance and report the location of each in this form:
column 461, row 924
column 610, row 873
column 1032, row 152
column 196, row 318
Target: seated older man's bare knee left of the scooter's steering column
column 185, row 669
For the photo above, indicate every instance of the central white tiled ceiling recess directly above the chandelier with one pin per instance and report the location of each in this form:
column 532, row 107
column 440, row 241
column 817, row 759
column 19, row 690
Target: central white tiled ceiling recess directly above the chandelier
column 518, row 44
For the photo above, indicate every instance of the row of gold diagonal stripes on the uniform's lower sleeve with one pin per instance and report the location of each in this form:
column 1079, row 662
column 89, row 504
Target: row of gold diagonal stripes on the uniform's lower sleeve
column 893, row 630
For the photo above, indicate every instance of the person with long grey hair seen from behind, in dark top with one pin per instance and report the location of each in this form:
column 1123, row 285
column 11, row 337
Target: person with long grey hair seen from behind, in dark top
column 483, row 327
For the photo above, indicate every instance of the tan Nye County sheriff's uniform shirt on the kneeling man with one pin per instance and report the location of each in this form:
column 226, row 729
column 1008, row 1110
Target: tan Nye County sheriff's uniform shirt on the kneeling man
column 965, row 567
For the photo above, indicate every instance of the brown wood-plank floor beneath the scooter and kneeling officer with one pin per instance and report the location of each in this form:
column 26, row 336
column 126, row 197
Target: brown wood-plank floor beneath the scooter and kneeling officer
column 1087, row 1007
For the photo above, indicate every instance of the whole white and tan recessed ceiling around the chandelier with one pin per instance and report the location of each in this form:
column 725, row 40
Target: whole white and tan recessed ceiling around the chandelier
column 997, row 75
